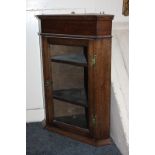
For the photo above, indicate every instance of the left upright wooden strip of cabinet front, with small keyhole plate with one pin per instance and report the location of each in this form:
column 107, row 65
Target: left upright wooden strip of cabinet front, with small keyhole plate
column 47, row 81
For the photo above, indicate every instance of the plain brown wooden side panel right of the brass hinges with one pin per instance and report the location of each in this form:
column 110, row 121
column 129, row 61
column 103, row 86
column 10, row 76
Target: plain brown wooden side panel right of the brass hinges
column 102, row 84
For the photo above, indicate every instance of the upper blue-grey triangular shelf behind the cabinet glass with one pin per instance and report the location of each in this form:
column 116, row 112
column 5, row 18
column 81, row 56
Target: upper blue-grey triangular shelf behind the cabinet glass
column 74, row 59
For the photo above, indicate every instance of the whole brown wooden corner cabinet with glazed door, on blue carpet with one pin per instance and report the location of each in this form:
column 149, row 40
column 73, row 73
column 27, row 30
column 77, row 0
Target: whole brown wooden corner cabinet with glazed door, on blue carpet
column 76, row 60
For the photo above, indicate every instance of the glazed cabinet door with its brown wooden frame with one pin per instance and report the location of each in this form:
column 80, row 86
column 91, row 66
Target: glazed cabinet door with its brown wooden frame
column 68, row 83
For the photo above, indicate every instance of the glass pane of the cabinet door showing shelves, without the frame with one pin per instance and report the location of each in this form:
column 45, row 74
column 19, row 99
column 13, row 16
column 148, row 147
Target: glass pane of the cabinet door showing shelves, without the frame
column 69, row 76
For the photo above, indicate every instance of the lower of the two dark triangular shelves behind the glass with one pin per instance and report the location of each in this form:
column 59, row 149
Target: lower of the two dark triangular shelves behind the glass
column 74, row 96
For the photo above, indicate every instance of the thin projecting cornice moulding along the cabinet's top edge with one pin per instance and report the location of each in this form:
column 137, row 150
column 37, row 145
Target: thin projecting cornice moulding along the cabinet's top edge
column 77, row 16
